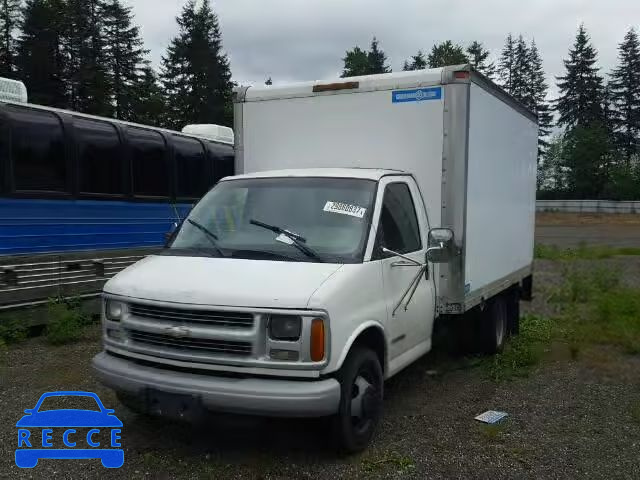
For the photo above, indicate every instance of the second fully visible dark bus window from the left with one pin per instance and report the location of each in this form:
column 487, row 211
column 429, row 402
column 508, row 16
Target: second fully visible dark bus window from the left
column 99, row 157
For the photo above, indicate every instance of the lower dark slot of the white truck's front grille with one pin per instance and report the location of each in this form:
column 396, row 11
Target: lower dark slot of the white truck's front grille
column 193, row 345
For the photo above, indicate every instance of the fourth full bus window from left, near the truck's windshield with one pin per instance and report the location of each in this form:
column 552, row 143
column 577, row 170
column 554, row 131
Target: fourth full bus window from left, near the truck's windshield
column 193, row 177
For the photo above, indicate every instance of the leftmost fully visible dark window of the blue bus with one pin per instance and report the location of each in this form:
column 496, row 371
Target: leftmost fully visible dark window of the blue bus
column 37, row 151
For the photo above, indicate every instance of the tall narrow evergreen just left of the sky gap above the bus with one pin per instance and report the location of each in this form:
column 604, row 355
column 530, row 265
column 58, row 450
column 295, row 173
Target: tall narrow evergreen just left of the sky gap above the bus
column 124, row 57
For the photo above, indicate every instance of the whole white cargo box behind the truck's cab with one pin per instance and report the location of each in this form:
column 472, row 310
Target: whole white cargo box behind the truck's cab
column 471, row 148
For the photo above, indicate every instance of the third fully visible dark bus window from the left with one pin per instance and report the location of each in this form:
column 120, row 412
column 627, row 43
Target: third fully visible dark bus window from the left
column 150, row 169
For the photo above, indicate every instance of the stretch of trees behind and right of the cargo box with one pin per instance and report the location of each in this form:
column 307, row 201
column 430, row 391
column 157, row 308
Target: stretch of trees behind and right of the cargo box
column 589, row 138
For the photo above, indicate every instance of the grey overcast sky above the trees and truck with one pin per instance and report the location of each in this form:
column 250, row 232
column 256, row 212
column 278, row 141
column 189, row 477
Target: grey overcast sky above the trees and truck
column 293, row 40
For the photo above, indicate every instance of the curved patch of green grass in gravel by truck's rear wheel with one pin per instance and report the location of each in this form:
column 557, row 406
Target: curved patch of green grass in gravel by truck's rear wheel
column 523, row 352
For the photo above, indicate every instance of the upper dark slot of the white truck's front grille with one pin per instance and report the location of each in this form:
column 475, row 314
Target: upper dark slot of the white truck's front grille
column 193, row 316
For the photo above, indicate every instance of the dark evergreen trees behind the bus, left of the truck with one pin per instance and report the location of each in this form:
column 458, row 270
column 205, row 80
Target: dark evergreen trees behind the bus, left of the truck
column 89, row 56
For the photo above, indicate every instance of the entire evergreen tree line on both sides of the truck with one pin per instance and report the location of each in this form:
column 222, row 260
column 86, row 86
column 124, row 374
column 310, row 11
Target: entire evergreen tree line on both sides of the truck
column 89, row 56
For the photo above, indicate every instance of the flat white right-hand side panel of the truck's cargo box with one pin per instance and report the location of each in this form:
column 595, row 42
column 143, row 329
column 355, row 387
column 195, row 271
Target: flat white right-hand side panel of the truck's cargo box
column 501, row 190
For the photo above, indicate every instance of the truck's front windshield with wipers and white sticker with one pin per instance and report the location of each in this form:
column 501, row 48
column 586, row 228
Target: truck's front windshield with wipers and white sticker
column 328, row 219
